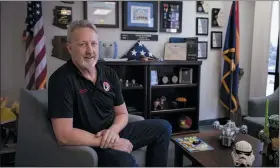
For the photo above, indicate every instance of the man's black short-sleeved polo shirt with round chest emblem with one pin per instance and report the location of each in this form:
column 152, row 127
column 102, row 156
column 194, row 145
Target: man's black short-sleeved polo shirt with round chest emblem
column 70, row 95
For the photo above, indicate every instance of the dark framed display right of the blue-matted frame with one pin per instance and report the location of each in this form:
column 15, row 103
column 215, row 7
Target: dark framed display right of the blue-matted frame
column 171, row 16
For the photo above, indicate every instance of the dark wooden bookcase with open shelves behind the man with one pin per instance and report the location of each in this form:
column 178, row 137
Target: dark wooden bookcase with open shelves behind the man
column 141, row 72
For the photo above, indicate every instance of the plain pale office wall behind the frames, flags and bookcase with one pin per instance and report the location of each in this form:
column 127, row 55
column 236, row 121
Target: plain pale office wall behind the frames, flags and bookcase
column 13, row 59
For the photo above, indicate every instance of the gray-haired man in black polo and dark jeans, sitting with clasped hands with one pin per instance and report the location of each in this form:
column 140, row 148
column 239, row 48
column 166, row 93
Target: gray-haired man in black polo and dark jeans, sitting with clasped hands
column 87, row 107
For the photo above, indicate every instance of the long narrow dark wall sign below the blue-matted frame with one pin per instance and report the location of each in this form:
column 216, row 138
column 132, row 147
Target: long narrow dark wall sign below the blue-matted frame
column 142, row 37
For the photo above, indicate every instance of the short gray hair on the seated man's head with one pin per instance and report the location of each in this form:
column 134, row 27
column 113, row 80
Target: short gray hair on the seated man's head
column 79, row 24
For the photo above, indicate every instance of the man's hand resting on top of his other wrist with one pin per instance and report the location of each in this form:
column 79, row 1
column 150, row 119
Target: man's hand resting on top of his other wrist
column 109, row 138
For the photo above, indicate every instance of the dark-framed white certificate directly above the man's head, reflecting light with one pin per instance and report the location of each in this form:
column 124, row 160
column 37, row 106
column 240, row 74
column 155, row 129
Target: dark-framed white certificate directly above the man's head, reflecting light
column 102, row 13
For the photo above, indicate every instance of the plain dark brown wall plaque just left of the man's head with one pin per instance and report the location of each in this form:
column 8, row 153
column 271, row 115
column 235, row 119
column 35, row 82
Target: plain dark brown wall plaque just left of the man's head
column 60, row 50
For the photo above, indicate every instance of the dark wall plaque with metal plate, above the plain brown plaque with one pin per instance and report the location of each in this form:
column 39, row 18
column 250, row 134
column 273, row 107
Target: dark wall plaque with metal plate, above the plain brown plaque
column 62, row 16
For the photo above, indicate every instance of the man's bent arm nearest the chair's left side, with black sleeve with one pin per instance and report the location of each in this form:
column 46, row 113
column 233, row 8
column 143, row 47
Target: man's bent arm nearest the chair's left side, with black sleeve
column 61, row 97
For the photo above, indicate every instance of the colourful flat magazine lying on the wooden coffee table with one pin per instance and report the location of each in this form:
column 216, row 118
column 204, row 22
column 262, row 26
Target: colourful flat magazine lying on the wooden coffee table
column 187, row 143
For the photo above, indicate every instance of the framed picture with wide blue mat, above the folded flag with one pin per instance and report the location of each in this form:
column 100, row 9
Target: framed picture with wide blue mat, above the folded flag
column 140, row 16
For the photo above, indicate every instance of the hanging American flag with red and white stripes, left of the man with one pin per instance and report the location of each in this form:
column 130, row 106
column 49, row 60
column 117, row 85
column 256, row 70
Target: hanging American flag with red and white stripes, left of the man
column 35, row 49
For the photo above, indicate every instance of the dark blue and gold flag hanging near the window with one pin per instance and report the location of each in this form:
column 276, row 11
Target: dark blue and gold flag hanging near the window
column 229, row 83
